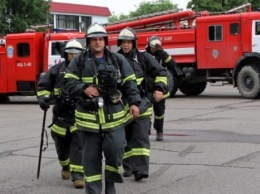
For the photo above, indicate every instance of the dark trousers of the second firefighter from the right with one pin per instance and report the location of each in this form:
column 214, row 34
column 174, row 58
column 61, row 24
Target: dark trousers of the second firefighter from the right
column 137, row 151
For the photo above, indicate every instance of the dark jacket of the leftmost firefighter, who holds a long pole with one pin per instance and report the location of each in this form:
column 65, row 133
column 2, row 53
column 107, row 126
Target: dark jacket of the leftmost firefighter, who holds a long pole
column 64, row 107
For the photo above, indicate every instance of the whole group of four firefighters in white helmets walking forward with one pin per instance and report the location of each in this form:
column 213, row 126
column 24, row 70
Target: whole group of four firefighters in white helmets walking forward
column 103, row 107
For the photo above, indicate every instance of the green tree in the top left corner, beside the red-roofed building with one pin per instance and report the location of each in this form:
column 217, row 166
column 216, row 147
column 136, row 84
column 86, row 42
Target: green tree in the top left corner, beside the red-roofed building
column 17, row 16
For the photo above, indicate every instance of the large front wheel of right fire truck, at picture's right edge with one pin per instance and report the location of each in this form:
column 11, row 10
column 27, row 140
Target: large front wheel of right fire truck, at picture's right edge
column 248, row 82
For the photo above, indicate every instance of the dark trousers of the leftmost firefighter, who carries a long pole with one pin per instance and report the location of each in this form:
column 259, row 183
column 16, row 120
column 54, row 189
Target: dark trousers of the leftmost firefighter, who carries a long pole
column 69, row 151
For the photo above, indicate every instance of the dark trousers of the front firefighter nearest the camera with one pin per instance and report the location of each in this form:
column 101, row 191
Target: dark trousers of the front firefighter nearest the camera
column 112, row 144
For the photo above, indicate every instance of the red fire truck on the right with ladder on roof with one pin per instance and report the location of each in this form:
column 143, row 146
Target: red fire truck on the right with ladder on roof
column 223, row 47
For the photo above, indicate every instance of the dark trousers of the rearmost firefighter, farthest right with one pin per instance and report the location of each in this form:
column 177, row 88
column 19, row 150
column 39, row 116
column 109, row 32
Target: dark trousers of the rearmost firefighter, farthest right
column 159, row 110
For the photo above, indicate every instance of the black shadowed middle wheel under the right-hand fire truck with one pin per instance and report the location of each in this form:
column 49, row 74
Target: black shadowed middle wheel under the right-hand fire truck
column 192, row 89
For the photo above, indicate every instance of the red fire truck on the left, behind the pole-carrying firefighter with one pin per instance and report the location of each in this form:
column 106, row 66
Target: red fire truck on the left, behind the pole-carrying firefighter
column 24, row 56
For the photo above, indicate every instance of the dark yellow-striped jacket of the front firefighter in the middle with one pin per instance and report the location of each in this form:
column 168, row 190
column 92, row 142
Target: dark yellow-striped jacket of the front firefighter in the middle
column 81, row 75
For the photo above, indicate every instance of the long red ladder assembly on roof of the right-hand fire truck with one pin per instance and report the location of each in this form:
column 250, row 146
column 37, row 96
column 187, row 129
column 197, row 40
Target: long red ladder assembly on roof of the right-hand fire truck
column 171, row 18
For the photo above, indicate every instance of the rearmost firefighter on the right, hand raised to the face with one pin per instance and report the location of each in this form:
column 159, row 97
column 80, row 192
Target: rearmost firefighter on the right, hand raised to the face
column 154, row 47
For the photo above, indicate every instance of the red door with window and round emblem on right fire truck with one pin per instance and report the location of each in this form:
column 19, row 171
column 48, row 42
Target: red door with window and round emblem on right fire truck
column 215, row 47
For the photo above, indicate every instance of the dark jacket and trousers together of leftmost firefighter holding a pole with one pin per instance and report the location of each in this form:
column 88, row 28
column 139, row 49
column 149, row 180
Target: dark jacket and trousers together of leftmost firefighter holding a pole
column 63, row 131
